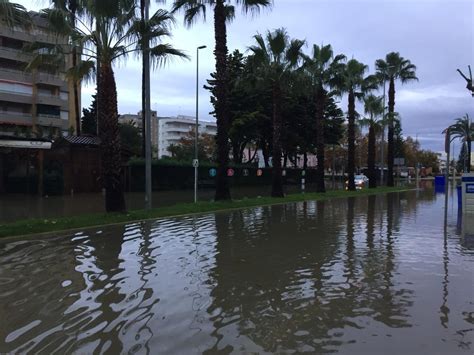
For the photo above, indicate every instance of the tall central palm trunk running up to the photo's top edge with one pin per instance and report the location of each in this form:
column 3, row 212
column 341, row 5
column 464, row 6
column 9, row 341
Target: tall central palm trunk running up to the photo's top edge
column 222, row 108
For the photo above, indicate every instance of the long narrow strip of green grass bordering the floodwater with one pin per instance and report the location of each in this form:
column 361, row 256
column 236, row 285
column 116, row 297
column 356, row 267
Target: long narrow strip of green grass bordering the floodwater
column 39, row 225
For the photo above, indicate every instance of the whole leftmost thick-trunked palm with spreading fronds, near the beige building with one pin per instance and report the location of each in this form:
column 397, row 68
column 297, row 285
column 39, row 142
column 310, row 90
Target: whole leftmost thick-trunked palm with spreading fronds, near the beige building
column 114, row 35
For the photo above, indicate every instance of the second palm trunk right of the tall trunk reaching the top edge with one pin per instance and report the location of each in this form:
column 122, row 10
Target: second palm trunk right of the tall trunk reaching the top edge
column 320, row 99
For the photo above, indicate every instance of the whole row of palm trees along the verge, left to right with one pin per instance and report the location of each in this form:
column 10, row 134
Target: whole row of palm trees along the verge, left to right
column 107, row 31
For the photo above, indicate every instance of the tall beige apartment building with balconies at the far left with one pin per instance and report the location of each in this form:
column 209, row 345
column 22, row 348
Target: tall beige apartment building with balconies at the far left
column 37, row 102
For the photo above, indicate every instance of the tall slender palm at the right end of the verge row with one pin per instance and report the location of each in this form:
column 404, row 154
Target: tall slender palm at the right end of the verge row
column 394, row 67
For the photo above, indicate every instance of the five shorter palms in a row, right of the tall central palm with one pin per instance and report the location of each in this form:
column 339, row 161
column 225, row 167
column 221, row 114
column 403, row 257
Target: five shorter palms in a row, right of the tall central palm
column 327, row 75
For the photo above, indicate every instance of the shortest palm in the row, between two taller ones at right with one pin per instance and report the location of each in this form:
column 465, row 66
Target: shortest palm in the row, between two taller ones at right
column 373, row 107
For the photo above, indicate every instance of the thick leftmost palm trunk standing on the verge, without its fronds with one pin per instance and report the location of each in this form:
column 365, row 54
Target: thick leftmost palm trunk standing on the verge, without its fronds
column 110, row 140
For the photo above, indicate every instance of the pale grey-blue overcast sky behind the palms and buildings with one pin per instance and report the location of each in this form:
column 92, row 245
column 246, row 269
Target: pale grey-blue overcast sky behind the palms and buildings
column 435, row 35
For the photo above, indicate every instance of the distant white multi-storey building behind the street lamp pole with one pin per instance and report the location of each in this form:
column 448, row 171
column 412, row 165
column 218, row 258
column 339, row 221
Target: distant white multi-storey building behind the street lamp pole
column 172, row 129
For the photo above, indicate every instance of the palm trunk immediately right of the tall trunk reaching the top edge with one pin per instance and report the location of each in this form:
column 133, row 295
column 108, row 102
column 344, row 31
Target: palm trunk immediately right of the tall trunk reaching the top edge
column 277, row 181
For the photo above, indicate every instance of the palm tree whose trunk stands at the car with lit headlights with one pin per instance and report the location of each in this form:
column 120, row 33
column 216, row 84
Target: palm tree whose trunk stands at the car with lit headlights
column 353, row 82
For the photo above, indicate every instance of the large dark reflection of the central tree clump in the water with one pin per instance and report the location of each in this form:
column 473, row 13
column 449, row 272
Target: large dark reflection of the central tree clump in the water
column 266, row 280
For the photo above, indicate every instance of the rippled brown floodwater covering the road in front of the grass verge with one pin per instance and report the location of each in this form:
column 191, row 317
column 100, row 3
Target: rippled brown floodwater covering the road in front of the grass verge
column 381, row 274
